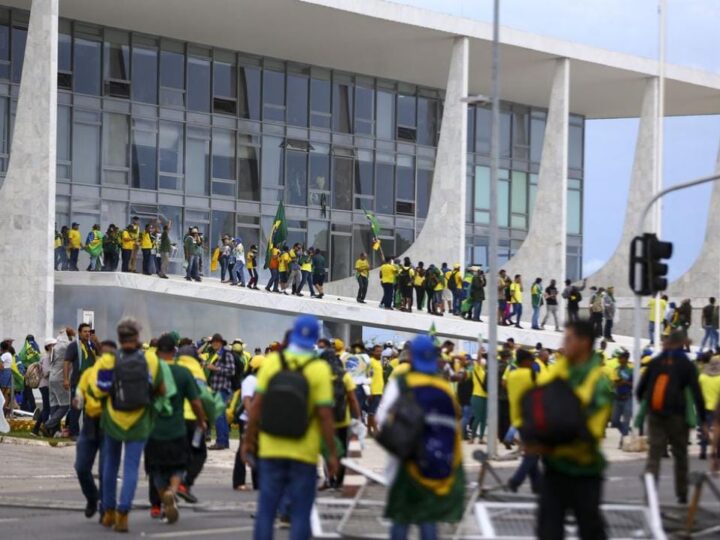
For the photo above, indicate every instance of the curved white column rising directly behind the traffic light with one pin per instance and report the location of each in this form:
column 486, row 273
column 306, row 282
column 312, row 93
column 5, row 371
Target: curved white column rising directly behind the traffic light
column 615, row 271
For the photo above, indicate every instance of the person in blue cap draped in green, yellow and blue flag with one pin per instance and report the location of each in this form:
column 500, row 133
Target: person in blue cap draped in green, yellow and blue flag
column 425, row 471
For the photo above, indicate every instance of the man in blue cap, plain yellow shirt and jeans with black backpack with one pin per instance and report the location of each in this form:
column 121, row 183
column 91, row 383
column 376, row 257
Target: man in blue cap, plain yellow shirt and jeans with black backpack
column 290, row 415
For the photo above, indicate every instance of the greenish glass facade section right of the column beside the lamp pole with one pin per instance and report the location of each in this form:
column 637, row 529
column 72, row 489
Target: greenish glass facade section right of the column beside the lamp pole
column 522, row 130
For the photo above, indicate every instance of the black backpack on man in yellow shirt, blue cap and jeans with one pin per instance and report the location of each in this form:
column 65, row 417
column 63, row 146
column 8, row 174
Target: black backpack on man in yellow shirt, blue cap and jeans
column 285, row 402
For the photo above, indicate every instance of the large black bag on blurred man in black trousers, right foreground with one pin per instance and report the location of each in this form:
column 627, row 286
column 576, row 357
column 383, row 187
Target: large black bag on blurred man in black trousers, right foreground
column 552, row 415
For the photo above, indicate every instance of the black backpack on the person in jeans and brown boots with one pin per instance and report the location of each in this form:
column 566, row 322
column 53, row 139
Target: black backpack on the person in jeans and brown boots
column 131, row 388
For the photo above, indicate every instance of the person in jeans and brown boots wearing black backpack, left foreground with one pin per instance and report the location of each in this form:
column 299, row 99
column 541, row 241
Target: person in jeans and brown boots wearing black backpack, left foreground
column 127, row 382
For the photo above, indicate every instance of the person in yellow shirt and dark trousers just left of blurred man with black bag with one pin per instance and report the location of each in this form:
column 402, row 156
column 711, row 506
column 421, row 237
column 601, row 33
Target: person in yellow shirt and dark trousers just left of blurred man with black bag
column 519, row 381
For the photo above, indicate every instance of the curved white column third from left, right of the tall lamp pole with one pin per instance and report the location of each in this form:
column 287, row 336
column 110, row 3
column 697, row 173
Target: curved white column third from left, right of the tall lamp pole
column 542, row 254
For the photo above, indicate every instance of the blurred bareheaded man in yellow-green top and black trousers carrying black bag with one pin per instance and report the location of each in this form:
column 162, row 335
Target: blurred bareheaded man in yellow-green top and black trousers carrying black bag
column 574, row 465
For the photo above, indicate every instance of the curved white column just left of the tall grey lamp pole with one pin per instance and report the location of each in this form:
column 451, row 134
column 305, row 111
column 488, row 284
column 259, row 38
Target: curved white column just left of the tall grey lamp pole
column 442, row 238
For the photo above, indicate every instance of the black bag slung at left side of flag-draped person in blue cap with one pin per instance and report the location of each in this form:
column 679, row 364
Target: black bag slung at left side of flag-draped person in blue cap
column 401, row 433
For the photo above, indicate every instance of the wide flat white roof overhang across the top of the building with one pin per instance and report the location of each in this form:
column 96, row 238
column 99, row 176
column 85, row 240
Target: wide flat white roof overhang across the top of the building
column 399, row 42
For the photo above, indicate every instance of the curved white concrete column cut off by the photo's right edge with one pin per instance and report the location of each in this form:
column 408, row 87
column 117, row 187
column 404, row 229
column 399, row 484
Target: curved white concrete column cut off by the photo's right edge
column 703, row 278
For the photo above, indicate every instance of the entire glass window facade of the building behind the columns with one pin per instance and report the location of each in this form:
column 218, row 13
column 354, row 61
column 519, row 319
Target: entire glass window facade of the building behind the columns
column 214, row 138
